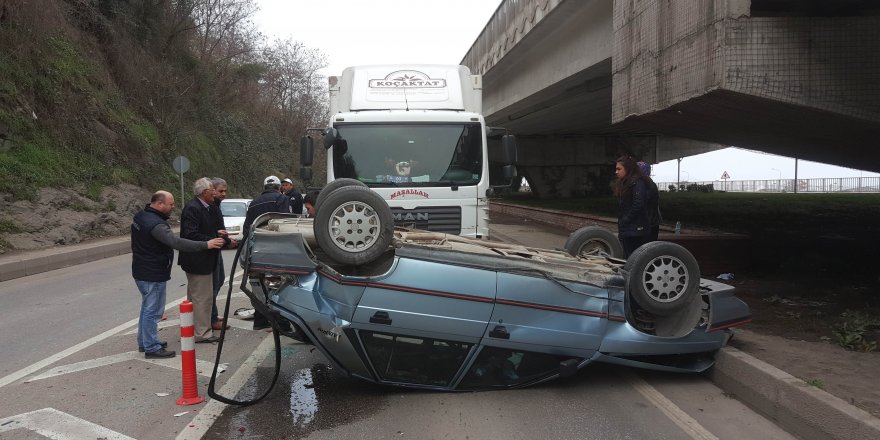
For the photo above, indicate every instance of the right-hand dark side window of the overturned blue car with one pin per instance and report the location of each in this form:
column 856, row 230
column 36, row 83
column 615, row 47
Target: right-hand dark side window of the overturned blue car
column 501, row 367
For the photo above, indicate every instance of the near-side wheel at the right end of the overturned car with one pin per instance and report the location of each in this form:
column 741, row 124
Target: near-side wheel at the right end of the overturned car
column 662, row 277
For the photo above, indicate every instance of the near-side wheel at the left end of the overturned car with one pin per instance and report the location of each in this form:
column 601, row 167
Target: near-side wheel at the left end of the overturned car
column 354, row 225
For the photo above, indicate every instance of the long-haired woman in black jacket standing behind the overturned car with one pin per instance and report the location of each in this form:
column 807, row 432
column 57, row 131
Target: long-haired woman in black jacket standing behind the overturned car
column 631, row 190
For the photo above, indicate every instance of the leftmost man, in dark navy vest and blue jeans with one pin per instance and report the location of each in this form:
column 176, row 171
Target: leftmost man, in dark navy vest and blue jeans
column 152, row 251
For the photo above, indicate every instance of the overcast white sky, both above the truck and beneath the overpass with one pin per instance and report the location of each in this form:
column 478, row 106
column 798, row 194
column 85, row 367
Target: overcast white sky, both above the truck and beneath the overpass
column 358, row 32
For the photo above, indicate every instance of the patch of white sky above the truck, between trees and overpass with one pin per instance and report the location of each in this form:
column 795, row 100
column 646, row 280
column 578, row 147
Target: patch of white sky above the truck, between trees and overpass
column 358, row 32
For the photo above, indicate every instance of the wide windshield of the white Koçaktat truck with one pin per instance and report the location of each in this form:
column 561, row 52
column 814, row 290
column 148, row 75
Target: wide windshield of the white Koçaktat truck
column 409, row 154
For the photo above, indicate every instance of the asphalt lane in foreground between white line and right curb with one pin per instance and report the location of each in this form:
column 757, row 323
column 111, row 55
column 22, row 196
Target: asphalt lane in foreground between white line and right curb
column 602, row 402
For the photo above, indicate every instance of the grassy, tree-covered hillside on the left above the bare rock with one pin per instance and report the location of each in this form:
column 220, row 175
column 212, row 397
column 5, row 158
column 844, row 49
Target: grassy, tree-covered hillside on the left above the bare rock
column 99, row 93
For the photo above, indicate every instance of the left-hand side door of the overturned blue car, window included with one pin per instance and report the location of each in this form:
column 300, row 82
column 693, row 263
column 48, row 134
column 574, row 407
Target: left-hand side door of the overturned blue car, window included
column 419, row 324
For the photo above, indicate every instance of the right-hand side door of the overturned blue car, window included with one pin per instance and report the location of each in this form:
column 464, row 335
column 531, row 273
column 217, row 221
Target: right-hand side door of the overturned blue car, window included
column 539, row 328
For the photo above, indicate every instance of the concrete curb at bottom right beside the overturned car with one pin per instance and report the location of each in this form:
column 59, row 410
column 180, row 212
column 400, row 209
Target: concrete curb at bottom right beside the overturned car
column 801, row 409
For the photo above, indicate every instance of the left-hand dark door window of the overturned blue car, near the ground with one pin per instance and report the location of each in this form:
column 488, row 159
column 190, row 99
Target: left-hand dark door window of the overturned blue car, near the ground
column 408, row 359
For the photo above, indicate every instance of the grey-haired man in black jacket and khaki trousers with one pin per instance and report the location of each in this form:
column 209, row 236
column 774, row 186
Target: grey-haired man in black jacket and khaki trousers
column 200, row 221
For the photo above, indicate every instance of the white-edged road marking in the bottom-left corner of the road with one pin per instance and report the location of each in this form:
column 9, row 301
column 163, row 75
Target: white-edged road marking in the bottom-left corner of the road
column 58, row 425
